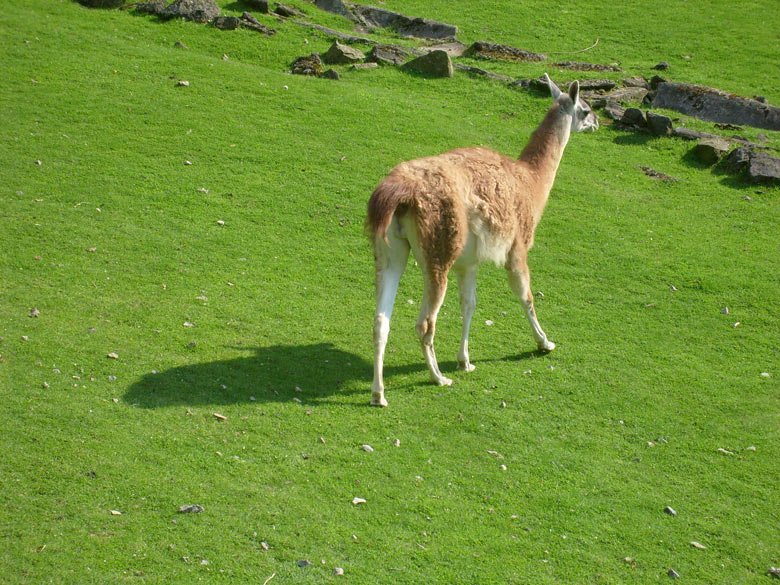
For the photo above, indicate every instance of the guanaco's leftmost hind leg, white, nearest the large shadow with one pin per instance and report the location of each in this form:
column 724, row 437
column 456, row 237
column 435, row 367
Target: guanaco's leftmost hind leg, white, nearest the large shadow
column 390, row 258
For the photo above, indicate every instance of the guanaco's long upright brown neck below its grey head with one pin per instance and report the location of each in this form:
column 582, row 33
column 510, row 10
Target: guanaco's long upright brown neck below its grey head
column 542, row 155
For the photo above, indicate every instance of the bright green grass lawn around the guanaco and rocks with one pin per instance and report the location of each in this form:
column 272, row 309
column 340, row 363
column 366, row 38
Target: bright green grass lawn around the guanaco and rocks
column 112, row 241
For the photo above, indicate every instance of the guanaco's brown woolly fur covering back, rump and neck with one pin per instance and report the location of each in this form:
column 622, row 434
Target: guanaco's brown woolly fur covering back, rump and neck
column 446, row 192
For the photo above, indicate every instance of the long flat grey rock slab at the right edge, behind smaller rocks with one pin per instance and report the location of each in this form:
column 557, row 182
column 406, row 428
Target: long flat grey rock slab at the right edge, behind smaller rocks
column 714, row 105
